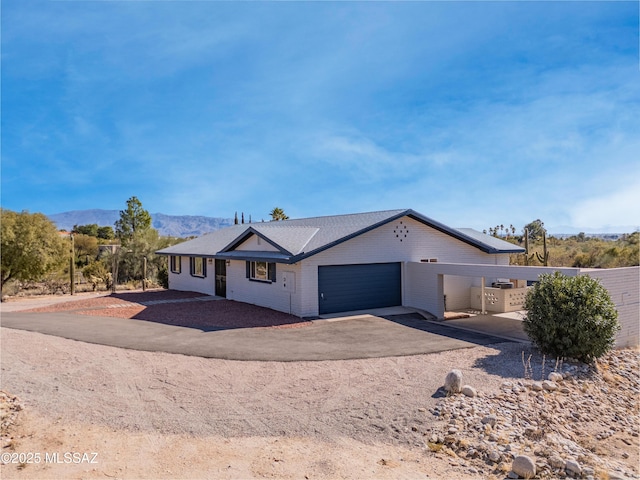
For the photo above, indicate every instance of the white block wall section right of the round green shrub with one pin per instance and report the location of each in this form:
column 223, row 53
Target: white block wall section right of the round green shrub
column 624, row 287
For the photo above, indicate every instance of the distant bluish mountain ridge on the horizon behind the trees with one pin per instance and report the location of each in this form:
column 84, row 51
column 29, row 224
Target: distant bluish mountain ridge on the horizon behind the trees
column 168, row 225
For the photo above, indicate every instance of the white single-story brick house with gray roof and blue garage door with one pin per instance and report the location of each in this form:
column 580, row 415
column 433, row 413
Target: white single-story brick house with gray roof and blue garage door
column 314, row 266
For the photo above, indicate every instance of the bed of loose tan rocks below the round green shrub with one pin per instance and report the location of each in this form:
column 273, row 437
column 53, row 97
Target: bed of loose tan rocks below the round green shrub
column 563, row 426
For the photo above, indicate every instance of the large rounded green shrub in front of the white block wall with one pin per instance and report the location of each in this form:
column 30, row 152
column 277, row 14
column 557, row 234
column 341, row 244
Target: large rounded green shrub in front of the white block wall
column 571, row 317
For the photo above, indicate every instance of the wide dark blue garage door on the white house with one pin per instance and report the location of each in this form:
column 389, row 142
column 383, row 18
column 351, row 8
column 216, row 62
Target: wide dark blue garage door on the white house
column 358, row 287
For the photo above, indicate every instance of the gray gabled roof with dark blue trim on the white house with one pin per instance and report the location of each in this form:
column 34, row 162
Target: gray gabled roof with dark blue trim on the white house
column 301, row 238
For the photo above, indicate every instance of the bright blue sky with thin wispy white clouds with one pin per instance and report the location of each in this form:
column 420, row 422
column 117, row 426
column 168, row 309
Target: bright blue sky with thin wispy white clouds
column 472, row 113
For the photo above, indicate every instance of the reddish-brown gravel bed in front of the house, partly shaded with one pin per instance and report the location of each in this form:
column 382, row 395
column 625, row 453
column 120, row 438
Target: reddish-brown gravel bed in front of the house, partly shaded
column 201, row 312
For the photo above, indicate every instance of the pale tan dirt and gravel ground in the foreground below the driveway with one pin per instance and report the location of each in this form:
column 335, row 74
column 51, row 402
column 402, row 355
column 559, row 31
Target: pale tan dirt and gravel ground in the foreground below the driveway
column 92, row 411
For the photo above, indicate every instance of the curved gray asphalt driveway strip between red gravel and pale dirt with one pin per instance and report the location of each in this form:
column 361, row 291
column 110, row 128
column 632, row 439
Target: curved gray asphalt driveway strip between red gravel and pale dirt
column 364, row 336
